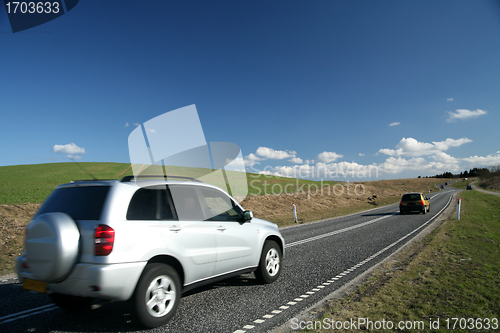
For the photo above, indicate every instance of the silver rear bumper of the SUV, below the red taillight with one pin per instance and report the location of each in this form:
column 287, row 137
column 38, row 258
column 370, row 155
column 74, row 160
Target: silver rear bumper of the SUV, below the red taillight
column 107, row 281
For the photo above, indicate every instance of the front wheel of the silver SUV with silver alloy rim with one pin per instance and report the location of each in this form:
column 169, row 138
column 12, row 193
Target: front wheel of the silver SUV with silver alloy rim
column 270, row 264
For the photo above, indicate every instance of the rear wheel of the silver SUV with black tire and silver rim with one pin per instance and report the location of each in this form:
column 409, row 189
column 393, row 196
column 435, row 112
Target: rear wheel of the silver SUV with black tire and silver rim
column 157, row 295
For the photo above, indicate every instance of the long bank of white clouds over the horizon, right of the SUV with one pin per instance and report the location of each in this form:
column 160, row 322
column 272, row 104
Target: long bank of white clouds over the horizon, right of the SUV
column 409, row 157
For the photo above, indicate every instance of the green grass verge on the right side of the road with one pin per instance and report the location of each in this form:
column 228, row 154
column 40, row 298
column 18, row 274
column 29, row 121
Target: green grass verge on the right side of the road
column 452, row 273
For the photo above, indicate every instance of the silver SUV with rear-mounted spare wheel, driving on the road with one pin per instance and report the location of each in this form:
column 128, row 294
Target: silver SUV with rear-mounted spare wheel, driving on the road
column 146, row 241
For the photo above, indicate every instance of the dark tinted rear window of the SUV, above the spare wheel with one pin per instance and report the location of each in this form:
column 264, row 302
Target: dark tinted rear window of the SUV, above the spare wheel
column 81, row 203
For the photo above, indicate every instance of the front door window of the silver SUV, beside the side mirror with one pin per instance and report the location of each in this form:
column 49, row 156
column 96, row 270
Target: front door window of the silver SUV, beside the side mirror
column 220, row 207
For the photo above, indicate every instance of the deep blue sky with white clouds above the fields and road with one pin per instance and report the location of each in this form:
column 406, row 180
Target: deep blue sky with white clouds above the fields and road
column 405, row 88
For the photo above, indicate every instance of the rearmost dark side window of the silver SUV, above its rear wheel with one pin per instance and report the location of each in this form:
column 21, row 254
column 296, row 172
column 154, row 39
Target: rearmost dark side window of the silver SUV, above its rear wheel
column 150, row 204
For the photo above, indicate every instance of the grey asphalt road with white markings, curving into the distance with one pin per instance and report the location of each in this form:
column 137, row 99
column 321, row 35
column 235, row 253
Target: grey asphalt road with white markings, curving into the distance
column 320, row 257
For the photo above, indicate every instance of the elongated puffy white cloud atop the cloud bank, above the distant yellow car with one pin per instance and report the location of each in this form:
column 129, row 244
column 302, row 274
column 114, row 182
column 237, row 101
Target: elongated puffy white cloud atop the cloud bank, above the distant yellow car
column 413, row 148
